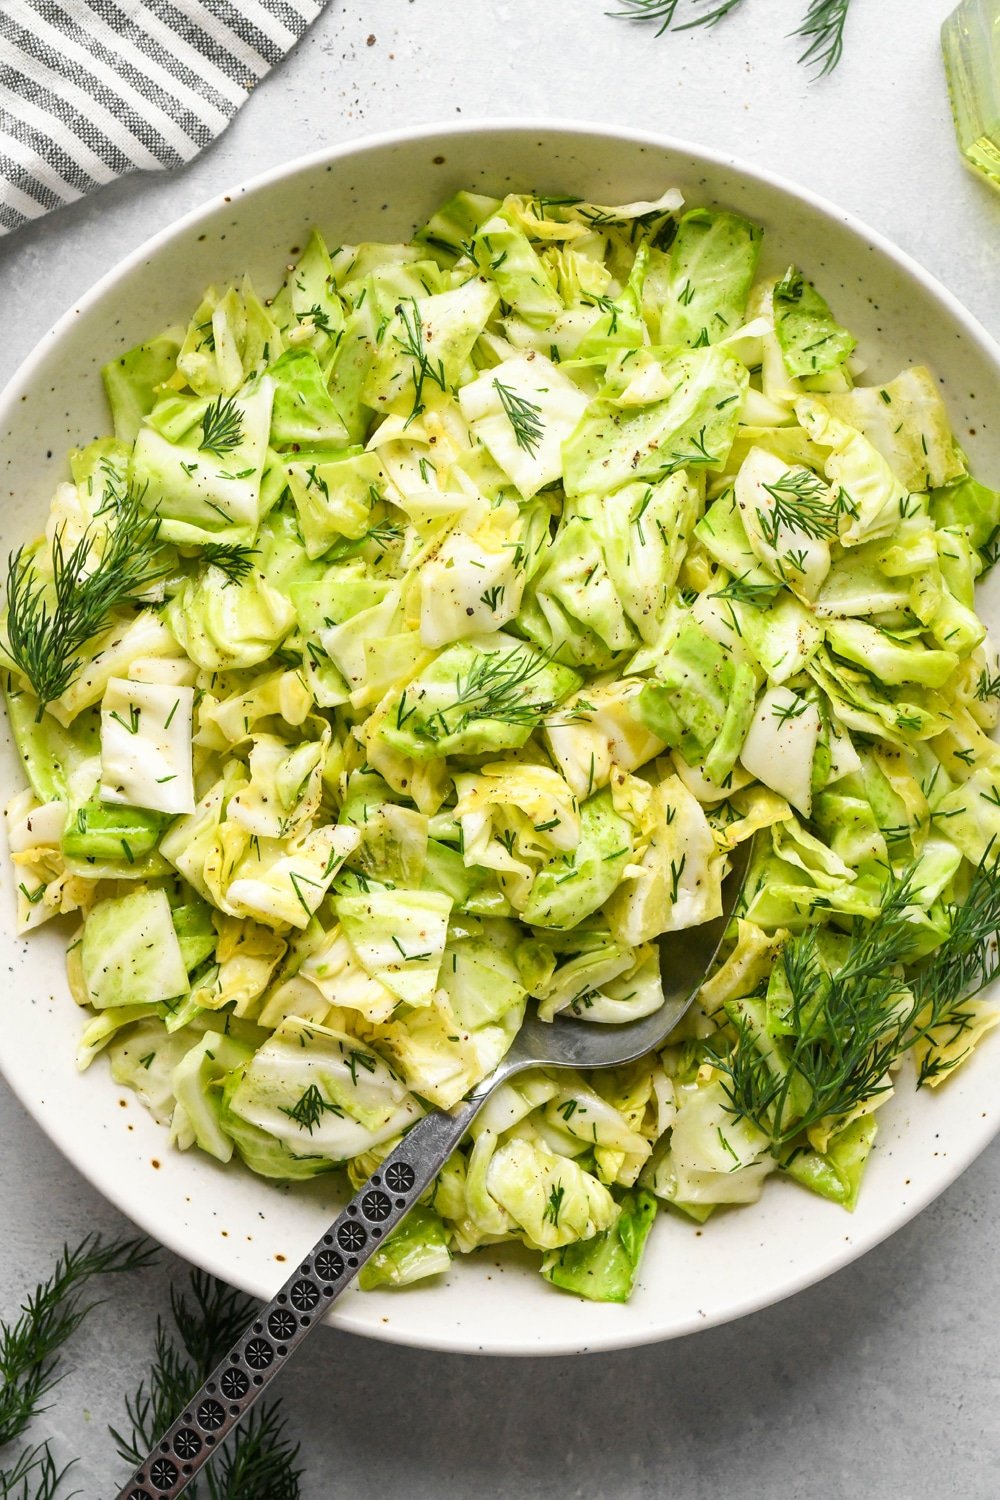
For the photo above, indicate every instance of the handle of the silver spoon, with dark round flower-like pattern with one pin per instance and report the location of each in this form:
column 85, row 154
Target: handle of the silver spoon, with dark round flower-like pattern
column 301, row 1306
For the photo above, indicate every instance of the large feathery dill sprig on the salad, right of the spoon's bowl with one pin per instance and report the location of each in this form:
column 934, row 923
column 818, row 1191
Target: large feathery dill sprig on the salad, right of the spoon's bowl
column 846, row 1030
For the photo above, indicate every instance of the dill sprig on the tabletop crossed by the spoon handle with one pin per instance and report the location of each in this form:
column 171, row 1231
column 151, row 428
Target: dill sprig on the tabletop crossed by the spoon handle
column 257, row 1463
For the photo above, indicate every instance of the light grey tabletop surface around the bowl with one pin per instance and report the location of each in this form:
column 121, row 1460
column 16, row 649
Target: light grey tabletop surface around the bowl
column 882, row 1381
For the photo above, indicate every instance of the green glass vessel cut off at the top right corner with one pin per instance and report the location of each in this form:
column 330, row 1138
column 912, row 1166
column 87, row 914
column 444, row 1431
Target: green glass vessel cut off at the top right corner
column 971, row 41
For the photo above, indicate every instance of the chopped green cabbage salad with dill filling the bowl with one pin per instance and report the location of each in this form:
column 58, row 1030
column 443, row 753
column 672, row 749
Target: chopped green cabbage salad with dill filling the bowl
column 419, row 647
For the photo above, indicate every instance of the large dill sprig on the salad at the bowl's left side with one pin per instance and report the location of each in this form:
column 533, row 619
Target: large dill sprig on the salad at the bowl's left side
column 49, row 623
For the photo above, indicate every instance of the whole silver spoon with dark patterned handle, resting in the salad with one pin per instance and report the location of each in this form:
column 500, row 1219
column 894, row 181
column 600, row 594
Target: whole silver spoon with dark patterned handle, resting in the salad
column 391, row 1193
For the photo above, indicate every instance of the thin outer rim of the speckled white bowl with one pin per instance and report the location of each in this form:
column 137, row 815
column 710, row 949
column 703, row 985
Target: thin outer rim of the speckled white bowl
column 975, row 1141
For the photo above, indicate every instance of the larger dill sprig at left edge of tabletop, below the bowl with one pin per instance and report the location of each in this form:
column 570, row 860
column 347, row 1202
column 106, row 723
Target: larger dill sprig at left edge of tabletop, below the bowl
column 53, row 1312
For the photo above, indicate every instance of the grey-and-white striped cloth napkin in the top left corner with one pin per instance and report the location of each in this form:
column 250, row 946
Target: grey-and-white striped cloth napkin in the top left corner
column 94, row 89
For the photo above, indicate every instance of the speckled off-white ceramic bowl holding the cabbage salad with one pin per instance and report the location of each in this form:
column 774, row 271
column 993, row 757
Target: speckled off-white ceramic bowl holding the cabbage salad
column 239, row 1226
